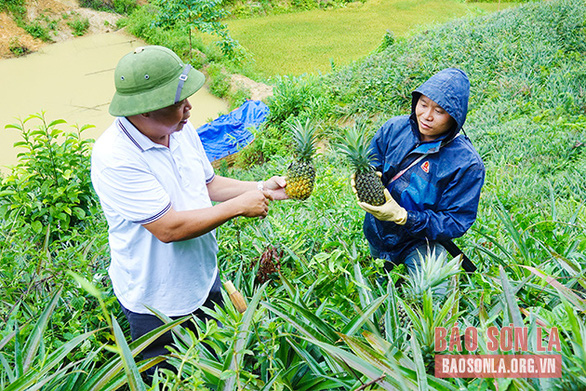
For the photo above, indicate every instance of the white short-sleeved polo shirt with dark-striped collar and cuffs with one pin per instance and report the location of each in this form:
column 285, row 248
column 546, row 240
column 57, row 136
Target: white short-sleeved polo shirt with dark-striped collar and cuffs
column 137, row 182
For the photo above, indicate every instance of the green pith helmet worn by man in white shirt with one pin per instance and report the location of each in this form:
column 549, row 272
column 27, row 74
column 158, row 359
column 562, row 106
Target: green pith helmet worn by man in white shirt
column 151, row 78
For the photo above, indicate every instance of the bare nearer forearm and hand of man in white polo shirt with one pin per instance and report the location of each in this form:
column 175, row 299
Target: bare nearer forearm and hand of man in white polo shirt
column 182, row 225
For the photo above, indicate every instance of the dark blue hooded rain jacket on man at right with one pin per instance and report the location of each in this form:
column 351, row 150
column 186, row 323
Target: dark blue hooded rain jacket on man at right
column 441, row 192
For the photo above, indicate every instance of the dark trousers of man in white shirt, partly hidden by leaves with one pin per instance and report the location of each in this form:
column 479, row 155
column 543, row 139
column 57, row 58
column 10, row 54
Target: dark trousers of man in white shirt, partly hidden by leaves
column 141, row 324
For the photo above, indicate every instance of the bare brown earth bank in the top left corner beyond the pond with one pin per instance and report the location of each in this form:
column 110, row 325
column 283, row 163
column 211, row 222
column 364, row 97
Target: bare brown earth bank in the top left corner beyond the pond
column 59, row 12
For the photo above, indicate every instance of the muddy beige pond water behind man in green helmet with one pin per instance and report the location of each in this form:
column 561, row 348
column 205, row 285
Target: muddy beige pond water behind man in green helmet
column 73, row 80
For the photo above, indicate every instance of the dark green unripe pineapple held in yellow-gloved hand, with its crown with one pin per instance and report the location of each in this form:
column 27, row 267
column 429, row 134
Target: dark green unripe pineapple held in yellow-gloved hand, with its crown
column 357, row 149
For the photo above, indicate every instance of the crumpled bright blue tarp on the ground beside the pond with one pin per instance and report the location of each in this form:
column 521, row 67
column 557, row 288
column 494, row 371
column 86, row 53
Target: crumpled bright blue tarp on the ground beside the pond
column 229, row 133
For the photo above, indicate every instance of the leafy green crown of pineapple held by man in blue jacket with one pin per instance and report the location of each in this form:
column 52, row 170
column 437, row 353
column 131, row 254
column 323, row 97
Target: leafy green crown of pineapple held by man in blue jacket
column 353, row 143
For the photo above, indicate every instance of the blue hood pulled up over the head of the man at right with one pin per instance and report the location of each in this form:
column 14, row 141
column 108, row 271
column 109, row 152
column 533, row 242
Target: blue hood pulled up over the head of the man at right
column 450, row 89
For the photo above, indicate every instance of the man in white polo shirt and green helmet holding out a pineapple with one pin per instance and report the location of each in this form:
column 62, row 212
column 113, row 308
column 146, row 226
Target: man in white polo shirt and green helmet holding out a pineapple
column 156, row 187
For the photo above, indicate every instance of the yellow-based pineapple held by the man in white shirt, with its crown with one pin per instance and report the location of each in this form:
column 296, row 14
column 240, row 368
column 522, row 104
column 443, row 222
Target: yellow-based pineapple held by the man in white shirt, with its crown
column 301, row 173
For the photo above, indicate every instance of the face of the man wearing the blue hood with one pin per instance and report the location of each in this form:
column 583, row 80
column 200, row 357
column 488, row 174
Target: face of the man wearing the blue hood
column 432, row 119
